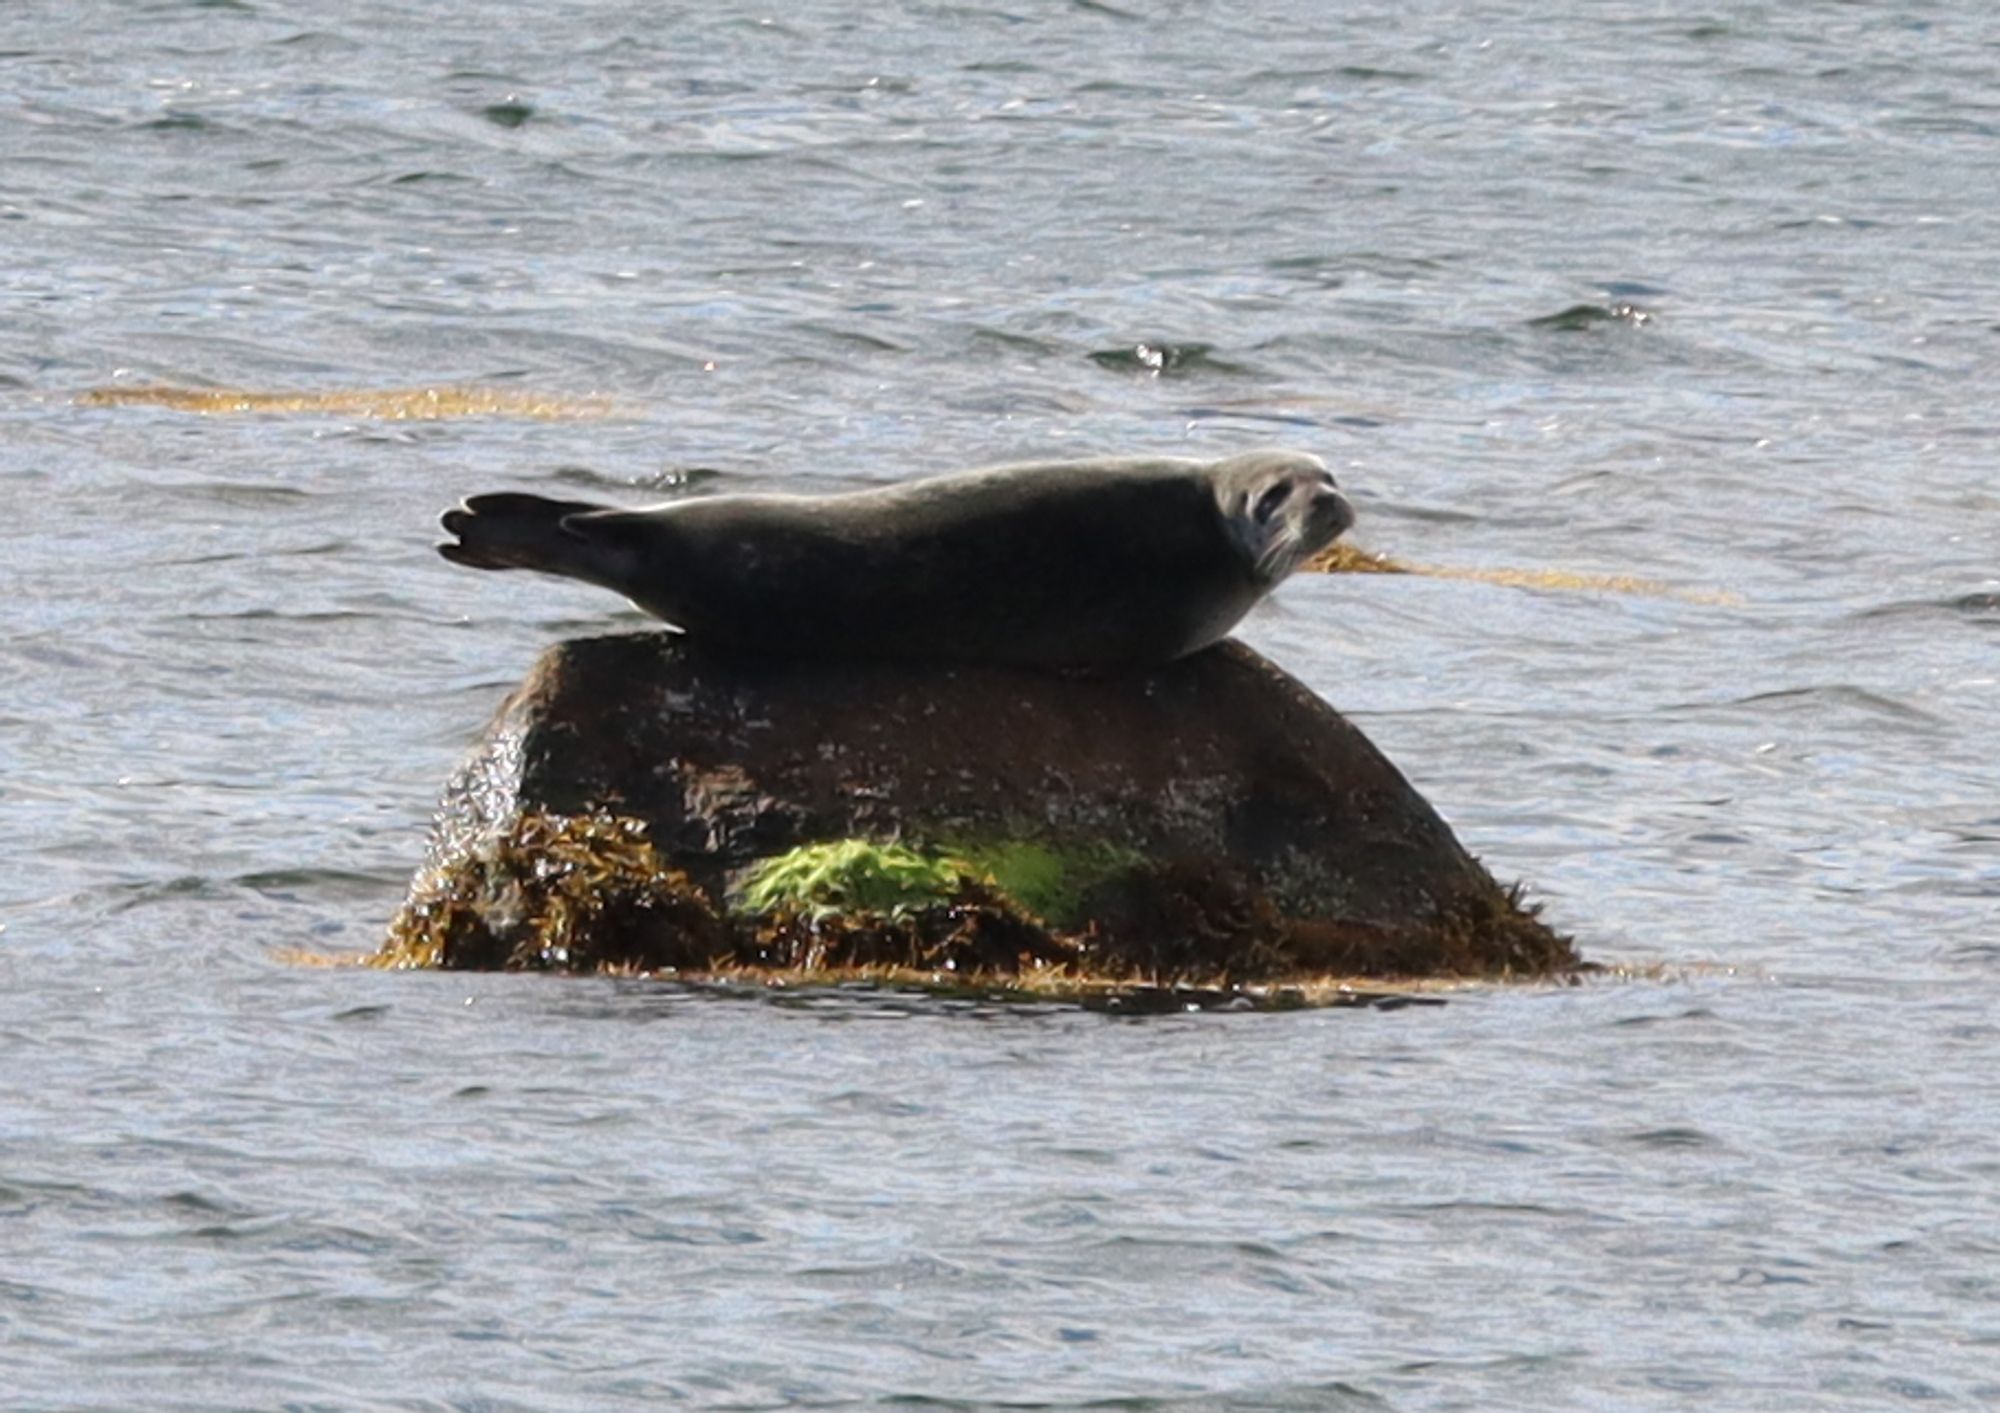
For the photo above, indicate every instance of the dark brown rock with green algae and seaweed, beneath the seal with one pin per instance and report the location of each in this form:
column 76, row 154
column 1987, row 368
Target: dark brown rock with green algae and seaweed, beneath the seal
column 1209, row 820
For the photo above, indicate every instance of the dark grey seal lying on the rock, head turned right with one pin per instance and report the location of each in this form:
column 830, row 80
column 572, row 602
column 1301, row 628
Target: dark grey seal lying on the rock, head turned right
column 1083, row 563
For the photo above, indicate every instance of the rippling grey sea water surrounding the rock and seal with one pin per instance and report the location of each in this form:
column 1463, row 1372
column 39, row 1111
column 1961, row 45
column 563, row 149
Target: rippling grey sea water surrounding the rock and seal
column 1705, row 297
